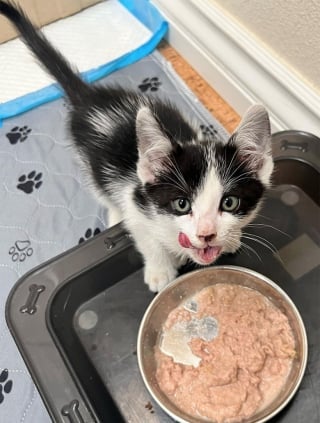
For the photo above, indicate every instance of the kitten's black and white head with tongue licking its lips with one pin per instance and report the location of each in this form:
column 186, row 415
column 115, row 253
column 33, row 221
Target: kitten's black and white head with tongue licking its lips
column 199, row 191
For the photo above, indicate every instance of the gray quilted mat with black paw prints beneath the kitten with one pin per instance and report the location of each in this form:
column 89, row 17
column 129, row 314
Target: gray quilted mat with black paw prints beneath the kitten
column 46, row 208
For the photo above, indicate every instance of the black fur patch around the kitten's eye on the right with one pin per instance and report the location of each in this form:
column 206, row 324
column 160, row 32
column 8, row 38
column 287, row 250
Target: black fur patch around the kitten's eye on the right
column 243, row 182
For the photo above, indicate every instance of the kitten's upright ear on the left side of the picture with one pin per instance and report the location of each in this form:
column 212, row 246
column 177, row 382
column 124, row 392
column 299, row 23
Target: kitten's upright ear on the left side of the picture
column 153, row 146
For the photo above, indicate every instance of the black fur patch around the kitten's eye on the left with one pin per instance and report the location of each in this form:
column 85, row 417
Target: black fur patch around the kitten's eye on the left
column 181, row 180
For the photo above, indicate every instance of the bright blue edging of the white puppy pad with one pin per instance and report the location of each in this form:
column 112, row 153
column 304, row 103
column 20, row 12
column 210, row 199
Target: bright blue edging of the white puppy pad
column 145, row 12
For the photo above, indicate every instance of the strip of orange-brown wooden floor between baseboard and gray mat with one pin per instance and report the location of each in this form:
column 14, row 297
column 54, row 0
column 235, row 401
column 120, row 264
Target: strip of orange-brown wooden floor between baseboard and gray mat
column 206, row 94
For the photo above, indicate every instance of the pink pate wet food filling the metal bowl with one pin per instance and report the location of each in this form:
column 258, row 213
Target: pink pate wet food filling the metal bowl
column 242, row 369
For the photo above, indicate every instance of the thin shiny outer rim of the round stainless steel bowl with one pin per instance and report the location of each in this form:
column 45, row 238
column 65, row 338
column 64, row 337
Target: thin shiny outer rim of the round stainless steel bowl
column 242, row 270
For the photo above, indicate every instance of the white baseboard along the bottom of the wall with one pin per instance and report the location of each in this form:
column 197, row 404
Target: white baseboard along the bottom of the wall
column 238, row 67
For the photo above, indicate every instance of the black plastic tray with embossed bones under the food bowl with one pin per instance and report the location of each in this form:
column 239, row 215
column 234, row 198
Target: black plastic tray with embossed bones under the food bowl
column 75, row 319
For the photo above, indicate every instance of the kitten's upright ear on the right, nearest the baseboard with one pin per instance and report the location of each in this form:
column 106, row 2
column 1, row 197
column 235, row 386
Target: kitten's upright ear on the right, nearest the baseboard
column 253, row 140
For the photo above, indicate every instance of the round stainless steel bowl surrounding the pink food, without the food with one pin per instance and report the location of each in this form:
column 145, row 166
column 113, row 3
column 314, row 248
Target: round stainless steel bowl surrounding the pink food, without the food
column 183, row 289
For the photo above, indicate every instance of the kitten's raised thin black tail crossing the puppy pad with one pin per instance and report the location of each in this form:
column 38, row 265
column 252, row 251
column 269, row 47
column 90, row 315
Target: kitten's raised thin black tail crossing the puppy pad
column 53, row 61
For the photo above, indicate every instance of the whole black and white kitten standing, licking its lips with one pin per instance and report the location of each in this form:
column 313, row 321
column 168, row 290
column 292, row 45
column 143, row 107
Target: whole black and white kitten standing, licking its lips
column 181, row 195
